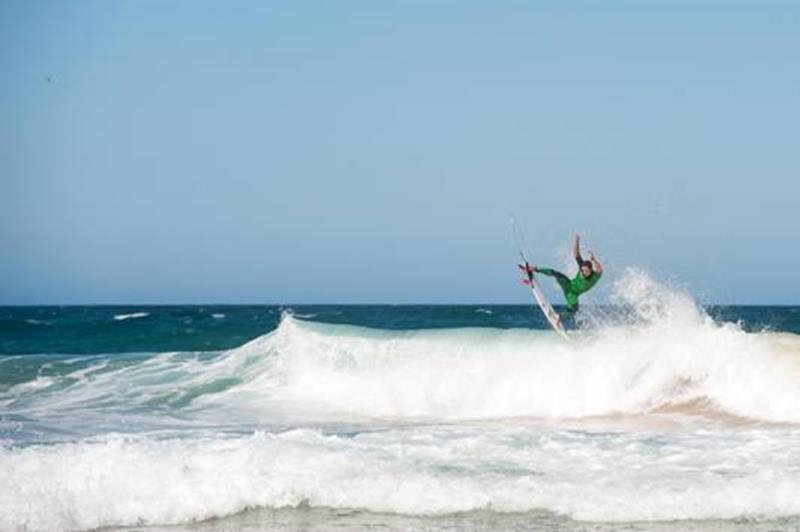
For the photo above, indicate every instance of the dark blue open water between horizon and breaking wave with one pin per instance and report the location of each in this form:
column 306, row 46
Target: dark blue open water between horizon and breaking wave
column 143, row 328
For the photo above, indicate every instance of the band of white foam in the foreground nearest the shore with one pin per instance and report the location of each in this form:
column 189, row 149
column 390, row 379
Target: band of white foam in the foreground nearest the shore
column 118, row 481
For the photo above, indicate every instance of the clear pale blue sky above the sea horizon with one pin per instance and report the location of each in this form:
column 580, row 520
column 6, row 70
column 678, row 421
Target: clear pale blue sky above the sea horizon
column 345, row 152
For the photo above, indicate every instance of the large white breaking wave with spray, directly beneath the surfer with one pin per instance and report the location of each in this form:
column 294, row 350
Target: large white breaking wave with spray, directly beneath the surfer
column 662, row 353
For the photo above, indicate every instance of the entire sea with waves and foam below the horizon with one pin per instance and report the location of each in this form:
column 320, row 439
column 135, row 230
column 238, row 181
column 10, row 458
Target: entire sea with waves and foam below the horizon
column 656, row 414
